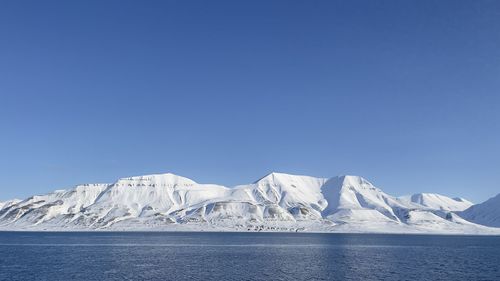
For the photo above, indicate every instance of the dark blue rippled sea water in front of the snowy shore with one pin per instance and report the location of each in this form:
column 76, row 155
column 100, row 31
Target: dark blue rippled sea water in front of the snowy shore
column 246, row 256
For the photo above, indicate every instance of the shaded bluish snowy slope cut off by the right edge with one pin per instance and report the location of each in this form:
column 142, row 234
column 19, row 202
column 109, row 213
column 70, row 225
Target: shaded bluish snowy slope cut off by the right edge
column 487, row 213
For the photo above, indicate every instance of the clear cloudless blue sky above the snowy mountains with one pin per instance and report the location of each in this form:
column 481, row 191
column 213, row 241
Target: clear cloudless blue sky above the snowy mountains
column 403, row 93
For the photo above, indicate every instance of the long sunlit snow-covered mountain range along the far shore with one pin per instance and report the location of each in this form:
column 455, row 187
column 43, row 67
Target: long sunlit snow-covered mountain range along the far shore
column 276, row 202
